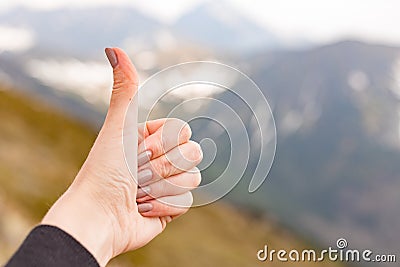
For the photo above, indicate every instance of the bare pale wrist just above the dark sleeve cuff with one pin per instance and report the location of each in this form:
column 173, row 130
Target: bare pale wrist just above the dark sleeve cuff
column 77, row 215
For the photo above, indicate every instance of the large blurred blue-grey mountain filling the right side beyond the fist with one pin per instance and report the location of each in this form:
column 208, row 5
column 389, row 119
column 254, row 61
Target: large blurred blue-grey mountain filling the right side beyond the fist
column 336, row 170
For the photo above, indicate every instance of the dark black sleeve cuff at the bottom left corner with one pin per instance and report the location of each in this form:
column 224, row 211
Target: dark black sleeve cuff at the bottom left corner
column 50, row 246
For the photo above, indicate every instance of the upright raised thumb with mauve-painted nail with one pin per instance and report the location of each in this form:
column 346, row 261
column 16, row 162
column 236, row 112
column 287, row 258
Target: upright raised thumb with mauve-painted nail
column 125, row 86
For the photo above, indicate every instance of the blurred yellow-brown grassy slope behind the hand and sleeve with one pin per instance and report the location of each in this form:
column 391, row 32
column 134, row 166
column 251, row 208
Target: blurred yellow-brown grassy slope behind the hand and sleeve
column 41, row 150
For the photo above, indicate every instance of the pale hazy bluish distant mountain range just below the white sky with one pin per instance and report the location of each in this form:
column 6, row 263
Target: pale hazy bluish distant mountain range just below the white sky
column 84, row 33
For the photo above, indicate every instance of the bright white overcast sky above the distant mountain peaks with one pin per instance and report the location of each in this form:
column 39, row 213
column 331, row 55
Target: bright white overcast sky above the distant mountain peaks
column 313, row 20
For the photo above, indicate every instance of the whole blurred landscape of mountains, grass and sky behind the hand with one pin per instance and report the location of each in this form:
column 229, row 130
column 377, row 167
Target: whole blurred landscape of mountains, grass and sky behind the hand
column 329, row 69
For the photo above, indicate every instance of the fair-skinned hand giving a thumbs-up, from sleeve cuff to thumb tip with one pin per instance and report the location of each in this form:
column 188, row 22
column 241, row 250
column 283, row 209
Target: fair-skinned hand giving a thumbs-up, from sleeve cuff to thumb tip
column 105, row 209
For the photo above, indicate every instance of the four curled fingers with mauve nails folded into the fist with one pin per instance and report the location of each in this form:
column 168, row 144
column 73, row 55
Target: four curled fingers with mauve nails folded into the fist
column 166, row 162
